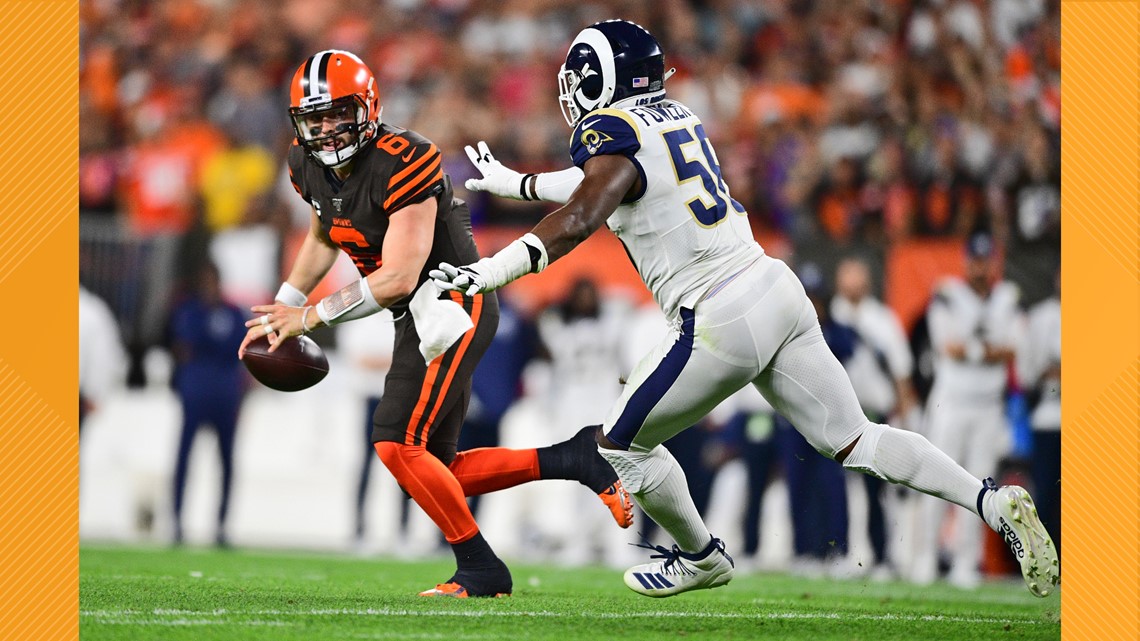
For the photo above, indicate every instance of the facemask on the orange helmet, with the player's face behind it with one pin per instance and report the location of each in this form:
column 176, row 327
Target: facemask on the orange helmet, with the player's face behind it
column 333, row 132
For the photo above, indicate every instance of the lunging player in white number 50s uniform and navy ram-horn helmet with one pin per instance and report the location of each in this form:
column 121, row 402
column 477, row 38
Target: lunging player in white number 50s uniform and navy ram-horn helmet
column 645, row 167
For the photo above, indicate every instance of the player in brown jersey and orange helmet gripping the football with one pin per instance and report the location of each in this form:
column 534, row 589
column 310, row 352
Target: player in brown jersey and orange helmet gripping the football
column 379, row 194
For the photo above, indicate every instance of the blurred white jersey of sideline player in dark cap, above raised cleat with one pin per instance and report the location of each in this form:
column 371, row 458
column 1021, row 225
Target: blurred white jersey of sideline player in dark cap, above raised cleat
column 959, row 315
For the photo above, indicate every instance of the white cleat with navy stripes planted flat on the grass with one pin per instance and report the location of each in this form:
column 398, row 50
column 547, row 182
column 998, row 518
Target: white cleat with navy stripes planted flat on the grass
column 679, row 572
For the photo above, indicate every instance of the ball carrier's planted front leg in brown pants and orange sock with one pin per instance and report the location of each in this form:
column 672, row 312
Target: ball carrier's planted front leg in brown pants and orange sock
column 426, row 403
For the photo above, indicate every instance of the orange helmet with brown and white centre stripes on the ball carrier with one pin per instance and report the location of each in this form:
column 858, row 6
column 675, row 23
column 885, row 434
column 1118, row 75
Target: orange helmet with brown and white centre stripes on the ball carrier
column 335, row 107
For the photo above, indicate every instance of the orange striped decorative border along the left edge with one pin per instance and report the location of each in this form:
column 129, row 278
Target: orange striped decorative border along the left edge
column 39, row 371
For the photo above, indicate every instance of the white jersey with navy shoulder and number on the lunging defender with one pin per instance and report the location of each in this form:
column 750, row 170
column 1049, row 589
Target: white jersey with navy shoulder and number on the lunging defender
column 685, row 232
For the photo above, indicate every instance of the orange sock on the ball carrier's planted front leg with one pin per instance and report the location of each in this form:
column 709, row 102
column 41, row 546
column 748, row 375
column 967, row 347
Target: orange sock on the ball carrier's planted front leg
column 433, row 486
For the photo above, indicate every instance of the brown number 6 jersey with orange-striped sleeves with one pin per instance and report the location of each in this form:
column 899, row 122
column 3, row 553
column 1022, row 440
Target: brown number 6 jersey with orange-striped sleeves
column 397, row 169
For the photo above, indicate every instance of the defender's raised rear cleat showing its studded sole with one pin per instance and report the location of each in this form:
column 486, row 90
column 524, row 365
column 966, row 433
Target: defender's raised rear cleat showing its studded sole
column 1016, row 521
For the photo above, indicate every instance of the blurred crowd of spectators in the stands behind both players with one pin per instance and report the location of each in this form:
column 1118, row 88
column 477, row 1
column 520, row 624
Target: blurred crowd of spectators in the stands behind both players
column 837, row 123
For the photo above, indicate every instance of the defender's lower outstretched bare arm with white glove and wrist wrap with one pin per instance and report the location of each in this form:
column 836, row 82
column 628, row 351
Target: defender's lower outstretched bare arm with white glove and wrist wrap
column 607, row 182
